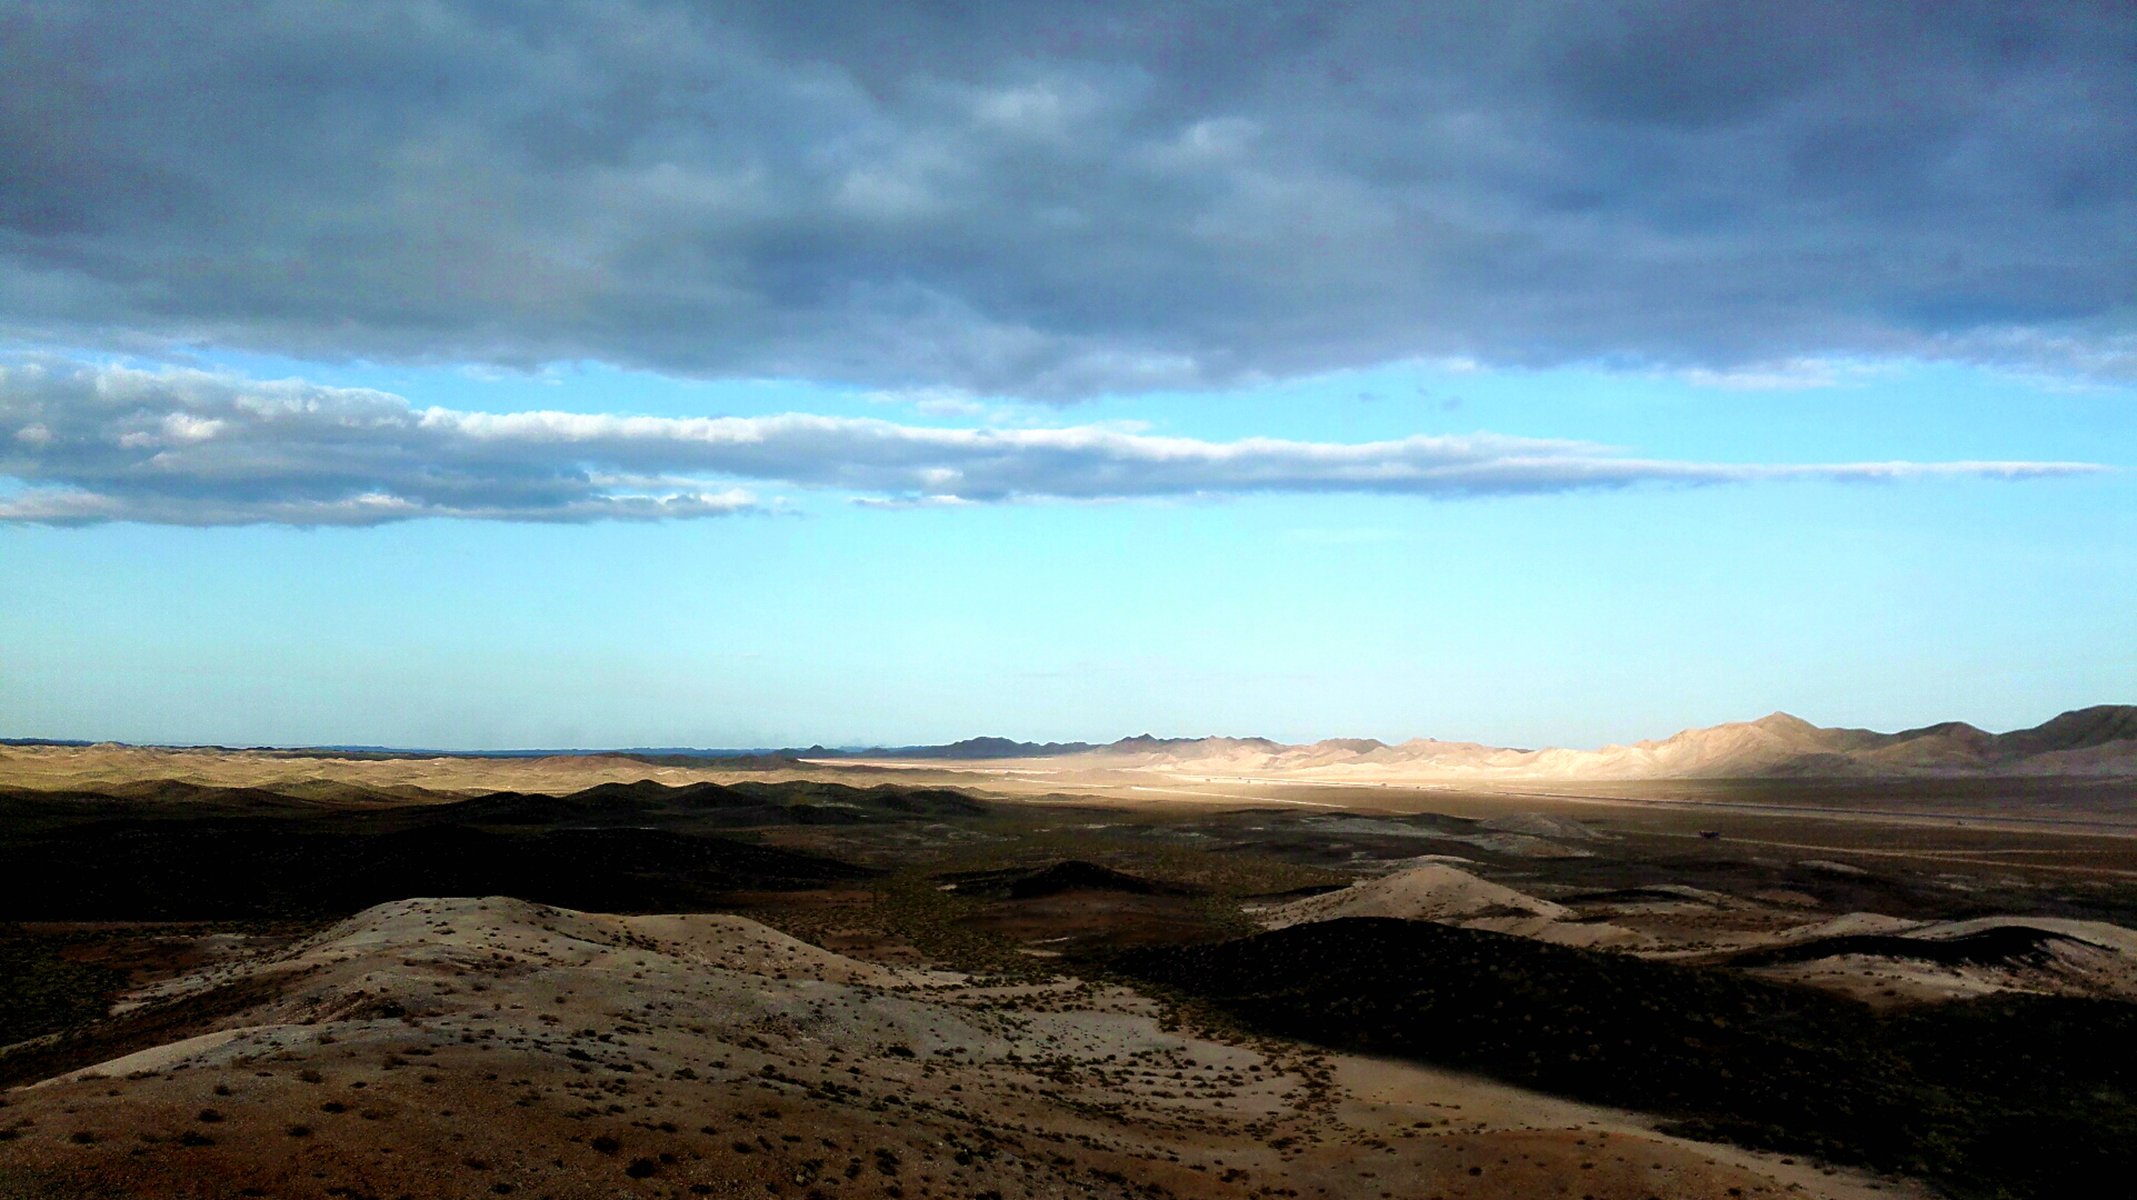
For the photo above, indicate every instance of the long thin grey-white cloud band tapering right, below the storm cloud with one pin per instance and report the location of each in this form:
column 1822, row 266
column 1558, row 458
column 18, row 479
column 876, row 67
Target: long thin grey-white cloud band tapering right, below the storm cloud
column 99, row 443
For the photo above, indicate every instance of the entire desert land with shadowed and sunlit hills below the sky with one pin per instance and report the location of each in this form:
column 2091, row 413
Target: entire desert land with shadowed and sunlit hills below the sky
column 1762, row 960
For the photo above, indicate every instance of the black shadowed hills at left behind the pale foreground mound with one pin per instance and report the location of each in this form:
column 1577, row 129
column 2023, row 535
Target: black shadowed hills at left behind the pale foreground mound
column 187, row 853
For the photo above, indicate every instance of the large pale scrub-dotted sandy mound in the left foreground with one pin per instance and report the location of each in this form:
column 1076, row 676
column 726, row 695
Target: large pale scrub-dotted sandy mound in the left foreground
column 433, row 1035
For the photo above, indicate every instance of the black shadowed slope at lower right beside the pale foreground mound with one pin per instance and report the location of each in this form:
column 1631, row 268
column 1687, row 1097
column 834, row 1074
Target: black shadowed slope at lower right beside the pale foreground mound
column 2008, row 1096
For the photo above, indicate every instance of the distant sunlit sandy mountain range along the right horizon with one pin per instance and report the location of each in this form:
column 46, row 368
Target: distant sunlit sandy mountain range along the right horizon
column 2100, row 742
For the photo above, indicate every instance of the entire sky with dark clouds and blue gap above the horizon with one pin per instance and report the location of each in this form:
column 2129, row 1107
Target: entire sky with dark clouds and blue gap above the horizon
column 728, row 375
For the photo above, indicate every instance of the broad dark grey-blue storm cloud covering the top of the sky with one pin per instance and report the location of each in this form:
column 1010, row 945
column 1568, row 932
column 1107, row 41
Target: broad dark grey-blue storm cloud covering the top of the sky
column 1061, row 200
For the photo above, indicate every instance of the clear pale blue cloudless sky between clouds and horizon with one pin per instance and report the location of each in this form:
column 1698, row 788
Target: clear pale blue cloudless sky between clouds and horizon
column 1572, row 618
